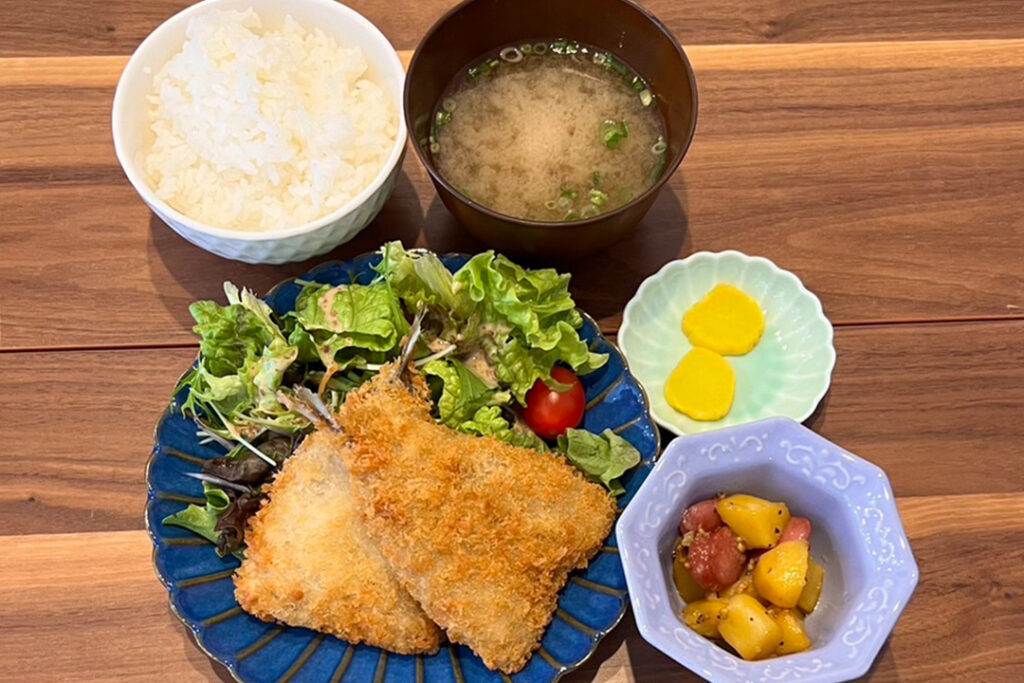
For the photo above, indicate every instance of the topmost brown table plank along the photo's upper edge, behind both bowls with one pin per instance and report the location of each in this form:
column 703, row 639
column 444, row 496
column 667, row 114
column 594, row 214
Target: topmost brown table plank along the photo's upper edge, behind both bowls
column 116, row 27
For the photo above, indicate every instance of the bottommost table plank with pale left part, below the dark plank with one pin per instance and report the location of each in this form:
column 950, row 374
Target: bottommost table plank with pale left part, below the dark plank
column 112, row 620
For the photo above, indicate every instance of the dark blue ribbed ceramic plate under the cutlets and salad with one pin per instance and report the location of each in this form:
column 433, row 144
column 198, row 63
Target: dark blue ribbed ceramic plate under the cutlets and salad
column 202, row 592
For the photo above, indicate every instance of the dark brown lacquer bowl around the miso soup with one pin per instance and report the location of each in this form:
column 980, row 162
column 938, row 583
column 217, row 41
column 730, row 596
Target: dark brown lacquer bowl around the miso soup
column 621, row 27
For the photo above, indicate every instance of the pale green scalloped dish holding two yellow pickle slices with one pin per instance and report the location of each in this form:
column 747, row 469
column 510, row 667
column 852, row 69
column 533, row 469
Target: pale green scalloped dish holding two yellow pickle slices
column 787, row 374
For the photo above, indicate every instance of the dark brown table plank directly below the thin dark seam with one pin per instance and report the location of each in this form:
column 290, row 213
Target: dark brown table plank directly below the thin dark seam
column 897, row 392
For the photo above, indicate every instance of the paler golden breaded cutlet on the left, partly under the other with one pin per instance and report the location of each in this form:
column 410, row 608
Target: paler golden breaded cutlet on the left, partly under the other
column 311, row 564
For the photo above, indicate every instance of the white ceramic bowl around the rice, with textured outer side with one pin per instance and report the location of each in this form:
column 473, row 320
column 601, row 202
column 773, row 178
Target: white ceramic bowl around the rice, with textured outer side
column 294, row 243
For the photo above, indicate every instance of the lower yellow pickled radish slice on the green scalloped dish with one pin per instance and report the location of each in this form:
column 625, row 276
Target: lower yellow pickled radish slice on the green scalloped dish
column 702, row 387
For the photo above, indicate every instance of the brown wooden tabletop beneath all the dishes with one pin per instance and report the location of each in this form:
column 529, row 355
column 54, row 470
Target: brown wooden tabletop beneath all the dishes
column 875, row 148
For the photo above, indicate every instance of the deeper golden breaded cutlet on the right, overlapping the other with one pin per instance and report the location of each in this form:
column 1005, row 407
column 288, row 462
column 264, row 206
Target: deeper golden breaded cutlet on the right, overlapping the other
column 484, row 535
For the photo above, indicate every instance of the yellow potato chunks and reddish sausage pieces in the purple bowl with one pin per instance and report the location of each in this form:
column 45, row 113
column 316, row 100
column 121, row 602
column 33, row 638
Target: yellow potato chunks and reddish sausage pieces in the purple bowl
column 744, row 568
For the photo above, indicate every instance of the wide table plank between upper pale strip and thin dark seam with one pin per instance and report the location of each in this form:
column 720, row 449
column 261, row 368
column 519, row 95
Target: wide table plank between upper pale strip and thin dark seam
column 821, row 186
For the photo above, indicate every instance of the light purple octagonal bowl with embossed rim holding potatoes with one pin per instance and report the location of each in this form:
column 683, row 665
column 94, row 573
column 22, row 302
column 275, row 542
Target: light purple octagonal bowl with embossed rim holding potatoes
column 858, row 537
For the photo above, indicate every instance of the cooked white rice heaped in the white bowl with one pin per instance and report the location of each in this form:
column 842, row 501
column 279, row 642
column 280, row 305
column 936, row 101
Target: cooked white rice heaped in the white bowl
column 263, row 130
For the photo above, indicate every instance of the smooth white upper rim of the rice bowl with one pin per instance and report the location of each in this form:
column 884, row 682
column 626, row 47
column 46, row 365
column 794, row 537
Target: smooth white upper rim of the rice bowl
column 392, row 66
